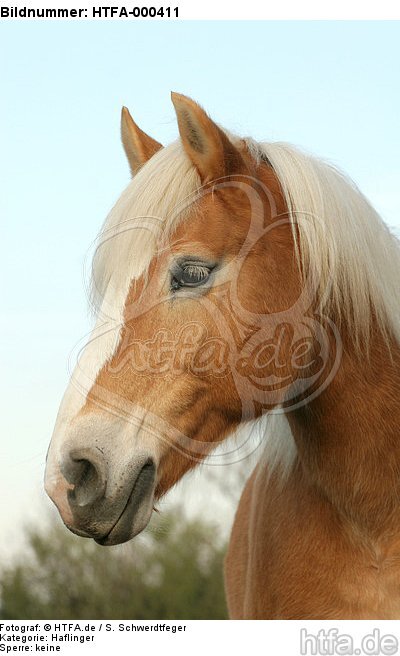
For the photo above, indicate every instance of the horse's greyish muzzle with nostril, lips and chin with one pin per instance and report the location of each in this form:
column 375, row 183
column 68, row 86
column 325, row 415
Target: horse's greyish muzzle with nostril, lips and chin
column 94, row 501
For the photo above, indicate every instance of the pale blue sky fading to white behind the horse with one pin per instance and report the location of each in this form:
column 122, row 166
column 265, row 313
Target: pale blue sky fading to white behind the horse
column 332, row 88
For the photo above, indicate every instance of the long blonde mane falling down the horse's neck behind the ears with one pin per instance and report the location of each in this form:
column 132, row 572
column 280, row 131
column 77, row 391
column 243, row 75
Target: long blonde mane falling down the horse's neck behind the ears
column 348, row 252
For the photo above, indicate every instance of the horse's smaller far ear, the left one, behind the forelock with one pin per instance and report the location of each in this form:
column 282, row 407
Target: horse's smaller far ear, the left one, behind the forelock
column 138, row 146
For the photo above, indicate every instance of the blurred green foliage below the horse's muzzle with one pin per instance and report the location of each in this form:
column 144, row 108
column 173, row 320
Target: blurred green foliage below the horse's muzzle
column 173, row 571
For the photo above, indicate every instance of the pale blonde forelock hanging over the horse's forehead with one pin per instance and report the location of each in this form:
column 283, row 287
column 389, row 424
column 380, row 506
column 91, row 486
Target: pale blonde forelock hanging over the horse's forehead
column 153, row 203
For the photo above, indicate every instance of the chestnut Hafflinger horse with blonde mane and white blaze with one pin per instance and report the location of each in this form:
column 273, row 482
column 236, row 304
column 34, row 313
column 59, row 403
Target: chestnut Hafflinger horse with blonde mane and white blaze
column 244, row 288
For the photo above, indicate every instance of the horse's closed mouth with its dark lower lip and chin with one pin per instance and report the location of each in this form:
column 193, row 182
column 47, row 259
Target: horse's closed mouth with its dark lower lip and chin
column 137, row 511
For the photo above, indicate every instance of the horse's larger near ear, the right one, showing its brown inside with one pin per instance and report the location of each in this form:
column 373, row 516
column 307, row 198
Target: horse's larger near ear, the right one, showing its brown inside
column 207, row 145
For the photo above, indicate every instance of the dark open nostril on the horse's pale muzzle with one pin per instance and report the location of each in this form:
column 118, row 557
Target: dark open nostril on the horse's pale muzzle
column 85, row 470
